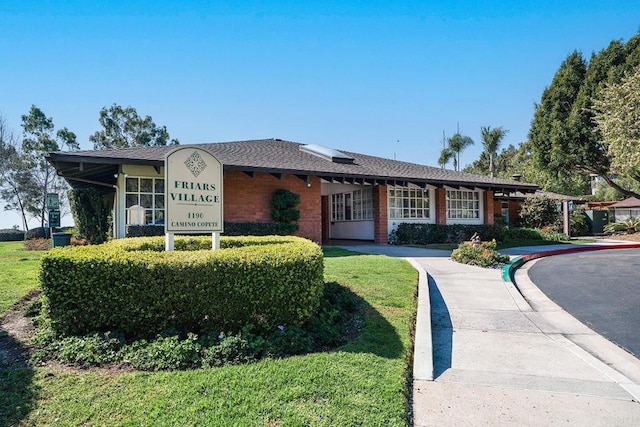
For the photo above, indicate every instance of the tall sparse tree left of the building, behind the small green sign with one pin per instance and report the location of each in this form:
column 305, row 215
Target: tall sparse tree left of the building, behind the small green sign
column 39, row 139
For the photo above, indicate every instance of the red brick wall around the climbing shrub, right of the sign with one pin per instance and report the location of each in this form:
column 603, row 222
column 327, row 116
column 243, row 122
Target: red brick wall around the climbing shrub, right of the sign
column 248, row 199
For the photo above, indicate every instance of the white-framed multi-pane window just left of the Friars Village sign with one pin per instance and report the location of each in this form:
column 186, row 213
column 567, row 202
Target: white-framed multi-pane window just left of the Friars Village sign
column 144, row 201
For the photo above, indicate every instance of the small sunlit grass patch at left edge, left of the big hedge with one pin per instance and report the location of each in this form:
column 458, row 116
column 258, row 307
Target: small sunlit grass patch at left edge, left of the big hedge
column 18, row 273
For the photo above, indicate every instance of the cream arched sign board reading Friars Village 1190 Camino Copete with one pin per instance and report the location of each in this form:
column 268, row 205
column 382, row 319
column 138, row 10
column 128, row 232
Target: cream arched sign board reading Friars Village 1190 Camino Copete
column 193, row 192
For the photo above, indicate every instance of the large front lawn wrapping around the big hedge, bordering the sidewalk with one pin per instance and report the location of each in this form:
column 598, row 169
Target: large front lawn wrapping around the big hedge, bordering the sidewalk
column 361, row 383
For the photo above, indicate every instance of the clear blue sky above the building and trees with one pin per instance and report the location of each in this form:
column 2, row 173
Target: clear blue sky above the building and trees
column 383, row 78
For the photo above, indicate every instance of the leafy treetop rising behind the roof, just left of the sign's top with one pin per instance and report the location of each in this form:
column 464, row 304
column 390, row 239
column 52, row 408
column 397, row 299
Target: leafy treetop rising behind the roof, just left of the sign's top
column 123, row 127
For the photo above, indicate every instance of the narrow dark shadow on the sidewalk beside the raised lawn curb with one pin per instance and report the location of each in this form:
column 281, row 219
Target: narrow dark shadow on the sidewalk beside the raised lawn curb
column 441, row 330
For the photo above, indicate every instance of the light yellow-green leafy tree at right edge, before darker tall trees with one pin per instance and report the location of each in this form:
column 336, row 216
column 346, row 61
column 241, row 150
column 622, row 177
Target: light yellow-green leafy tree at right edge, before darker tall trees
column 618, row 119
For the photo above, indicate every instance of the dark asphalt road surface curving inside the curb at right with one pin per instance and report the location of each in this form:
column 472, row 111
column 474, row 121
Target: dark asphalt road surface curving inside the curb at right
column 600, row 288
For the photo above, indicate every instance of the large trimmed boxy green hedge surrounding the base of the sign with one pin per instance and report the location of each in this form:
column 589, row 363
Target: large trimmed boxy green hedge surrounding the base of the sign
column 132, row 286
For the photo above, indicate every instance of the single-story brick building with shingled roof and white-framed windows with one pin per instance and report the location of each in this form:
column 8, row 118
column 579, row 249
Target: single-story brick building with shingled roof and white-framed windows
column 344, row 195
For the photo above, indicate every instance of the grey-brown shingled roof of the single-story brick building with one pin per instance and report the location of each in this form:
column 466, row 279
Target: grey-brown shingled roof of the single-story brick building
column 277, row 157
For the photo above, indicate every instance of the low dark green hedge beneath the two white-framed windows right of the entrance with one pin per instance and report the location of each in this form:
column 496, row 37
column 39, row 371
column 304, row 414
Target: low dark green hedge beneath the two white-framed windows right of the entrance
column 424, row 234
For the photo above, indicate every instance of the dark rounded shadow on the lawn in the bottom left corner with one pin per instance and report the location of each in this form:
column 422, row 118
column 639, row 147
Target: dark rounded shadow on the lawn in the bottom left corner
column 17, row 393
